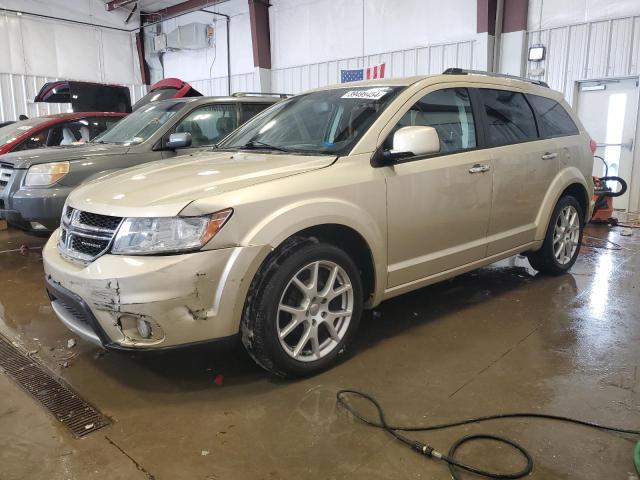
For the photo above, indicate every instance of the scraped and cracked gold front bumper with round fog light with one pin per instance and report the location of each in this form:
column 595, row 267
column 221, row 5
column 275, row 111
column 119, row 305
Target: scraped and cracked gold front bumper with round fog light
column 183, row 299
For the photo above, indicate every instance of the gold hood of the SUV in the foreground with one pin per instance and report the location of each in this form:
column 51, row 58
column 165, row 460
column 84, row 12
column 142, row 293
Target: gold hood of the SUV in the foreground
column 165, row 187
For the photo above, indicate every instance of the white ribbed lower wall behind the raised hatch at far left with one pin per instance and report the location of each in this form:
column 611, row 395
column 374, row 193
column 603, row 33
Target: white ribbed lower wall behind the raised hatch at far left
column 18, row 91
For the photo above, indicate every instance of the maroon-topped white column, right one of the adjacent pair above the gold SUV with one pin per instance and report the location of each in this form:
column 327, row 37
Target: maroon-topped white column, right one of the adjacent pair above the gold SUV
column 513, row 51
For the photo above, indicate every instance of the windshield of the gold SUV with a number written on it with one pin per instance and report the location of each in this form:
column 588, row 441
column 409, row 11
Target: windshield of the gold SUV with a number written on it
column 325, row 122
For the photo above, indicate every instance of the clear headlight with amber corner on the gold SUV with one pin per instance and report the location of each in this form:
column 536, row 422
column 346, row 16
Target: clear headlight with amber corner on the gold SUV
column 148, row 236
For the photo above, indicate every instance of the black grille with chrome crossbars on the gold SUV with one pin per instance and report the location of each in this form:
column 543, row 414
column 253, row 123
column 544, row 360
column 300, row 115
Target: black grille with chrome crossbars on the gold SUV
column 84, row 235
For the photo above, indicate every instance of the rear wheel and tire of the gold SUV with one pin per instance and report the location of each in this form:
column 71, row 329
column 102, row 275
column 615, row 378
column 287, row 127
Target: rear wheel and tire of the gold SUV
column 562, row 241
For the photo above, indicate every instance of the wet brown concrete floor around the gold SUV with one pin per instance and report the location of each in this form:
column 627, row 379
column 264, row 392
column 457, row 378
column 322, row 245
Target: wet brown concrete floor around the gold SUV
column 496, row 340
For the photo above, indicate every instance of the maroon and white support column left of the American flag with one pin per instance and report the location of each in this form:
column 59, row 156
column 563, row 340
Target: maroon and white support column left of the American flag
column 261, row 41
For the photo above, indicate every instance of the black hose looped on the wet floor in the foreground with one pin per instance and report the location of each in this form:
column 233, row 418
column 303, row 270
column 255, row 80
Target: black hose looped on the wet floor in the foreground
column 450, row 459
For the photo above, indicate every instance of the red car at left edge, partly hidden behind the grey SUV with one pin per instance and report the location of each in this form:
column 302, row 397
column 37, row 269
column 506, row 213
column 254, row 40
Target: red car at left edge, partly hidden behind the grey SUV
column 55, row 130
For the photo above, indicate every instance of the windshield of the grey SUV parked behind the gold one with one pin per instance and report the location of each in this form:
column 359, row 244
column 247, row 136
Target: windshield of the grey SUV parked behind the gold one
column 141, row 124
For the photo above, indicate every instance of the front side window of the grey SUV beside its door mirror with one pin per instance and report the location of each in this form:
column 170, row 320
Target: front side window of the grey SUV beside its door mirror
column 210, row 124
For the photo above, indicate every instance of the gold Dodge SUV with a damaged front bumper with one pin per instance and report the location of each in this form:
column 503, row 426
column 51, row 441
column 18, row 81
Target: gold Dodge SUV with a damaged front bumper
column 323, row 205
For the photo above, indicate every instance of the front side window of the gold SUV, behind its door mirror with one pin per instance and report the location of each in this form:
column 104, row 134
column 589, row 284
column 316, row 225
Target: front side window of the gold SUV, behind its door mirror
column 449, row 112
